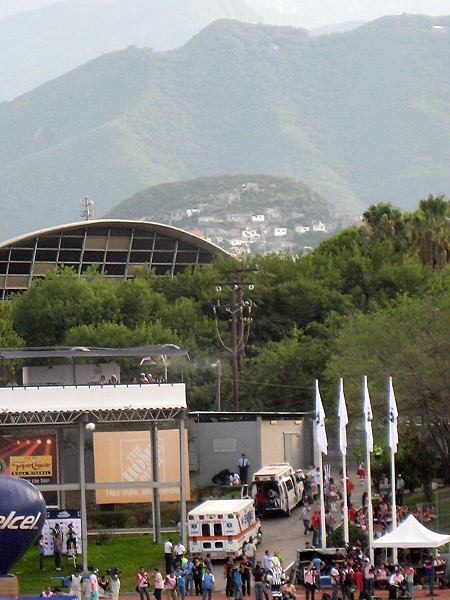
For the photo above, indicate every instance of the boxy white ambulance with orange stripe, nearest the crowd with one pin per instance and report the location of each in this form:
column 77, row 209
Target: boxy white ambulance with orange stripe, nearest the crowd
column 222, row 527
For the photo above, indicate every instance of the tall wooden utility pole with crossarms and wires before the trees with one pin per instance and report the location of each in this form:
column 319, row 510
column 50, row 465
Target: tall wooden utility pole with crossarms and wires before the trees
column 240, row 312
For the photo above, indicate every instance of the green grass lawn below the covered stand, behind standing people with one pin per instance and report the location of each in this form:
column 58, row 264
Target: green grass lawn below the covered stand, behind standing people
column 125, row 552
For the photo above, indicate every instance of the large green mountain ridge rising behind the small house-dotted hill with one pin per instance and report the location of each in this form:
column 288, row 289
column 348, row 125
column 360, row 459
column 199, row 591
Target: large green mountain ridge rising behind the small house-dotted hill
column 360, row 117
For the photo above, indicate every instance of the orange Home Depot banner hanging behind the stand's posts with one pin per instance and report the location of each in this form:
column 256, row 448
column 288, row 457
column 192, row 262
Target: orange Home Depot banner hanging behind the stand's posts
column 126, row 456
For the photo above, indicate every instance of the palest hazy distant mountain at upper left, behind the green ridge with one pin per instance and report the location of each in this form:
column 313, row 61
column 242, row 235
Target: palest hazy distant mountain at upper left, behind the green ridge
column 38, row 45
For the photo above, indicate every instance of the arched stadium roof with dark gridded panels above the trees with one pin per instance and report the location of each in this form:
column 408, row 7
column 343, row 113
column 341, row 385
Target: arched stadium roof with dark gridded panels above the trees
column 118, row 247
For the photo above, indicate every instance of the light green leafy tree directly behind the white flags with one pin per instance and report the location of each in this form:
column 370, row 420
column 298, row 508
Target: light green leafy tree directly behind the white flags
column 410, row 340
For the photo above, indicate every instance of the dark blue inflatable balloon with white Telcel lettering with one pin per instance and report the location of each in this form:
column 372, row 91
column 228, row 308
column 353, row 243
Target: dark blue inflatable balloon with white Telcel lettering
column 22, row 516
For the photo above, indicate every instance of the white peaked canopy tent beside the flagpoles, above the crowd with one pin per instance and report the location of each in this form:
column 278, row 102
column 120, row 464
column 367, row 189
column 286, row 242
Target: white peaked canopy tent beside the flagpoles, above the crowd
column 411, row 534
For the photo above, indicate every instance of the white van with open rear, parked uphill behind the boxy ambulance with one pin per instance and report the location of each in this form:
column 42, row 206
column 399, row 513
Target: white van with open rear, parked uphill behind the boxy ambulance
column 281, row 485
